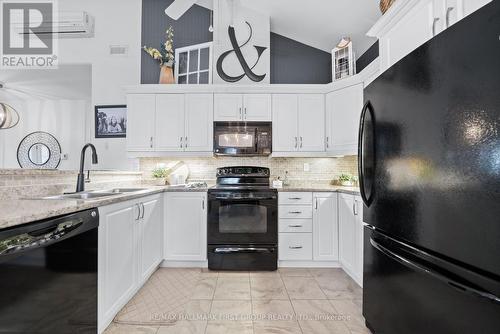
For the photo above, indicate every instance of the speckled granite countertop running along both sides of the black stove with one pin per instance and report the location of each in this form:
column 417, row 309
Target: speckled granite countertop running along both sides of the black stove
column 22, row 211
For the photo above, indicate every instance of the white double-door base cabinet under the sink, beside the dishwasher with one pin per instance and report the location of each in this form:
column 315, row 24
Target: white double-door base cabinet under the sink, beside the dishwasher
column 130, row 249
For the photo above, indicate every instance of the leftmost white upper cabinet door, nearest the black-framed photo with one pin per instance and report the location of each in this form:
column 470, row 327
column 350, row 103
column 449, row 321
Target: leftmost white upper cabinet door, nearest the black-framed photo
column 141, row 122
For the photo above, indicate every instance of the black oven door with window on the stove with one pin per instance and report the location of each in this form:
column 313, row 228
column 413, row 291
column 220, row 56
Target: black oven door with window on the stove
column 242, row 218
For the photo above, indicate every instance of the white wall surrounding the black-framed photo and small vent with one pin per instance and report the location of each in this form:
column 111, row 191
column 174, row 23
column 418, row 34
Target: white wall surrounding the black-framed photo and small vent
column 117, row 22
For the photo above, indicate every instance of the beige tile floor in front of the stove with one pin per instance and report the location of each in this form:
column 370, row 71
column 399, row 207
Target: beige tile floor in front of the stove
column 291, row 300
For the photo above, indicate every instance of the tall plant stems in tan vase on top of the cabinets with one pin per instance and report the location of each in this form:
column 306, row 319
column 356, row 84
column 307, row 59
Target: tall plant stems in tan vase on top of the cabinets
column 165, row 57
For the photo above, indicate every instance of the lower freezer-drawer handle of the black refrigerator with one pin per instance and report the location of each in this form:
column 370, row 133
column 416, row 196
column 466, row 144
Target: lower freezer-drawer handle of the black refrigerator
column 426, row 270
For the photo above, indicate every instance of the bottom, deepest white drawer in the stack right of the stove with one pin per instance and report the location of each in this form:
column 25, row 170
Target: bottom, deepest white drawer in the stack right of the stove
column 295, row 246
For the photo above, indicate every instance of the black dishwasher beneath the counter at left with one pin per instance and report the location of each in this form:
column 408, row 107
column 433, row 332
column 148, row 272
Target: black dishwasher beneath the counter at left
column 48, row 275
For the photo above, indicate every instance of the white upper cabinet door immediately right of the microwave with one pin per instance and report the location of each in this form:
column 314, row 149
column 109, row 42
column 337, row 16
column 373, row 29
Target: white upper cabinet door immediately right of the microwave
column 285, row 118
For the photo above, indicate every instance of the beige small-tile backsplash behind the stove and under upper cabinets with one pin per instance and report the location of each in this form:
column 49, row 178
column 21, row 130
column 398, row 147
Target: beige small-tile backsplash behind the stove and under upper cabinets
column 321, row 170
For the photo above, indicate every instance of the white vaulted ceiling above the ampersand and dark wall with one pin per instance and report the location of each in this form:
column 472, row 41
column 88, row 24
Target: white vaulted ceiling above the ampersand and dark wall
column 319, row 23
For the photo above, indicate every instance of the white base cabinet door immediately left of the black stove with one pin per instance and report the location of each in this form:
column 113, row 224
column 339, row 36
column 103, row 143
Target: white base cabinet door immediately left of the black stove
column 186, row 226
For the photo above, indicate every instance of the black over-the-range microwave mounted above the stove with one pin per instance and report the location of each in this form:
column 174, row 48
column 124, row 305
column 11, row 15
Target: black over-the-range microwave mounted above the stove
column 243, row 138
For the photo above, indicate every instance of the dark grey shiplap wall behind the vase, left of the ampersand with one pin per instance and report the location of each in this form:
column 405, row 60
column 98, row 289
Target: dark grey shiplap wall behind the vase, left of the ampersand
column 190, row 29
